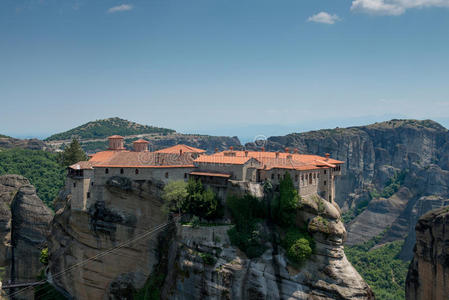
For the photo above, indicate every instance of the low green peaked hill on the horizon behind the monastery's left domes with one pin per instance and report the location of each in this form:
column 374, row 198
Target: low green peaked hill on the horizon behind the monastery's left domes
column 108, row 127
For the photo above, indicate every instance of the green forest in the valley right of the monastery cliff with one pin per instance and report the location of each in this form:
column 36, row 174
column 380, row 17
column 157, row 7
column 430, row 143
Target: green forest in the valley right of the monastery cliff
column 381, row 268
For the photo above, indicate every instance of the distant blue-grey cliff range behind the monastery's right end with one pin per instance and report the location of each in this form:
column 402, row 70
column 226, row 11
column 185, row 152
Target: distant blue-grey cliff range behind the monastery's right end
column 373, row 154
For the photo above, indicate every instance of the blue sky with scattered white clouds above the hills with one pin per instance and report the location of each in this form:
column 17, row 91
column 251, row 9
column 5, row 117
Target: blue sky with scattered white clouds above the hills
column 245, row 67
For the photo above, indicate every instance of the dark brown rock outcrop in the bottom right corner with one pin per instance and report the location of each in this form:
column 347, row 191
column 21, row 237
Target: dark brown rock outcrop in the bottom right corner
column 428, row 274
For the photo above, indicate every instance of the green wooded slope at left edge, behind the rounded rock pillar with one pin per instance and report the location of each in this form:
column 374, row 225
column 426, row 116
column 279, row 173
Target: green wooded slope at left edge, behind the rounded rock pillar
column 40, row 167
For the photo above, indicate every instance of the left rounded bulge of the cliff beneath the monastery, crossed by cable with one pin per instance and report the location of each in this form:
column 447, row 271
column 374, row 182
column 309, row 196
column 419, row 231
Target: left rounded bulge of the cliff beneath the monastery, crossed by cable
column 122, row 215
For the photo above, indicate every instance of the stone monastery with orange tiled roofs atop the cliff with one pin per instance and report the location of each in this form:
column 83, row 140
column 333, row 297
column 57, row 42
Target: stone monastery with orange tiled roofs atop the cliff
column 311, row 174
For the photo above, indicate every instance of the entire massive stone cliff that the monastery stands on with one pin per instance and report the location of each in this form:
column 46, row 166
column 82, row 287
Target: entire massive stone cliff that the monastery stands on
column 130, row 209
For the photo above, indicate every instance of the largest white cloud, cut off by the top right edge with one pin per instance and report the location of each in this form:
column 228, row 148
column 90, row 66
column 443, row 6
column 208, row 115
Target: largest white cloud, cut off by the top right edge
column 393, row 7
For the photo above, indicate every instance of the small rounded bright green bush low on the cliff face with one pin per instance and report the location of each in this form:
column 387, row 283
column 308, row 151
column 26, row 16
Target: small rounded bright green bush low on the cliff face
column 298, row 243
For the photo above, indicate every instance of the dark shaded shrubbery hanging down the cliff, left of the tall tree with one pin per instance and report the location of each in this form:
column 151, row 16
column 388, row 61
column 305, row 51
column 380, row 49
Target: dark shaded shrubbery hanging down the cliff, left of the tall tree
column 247, row 212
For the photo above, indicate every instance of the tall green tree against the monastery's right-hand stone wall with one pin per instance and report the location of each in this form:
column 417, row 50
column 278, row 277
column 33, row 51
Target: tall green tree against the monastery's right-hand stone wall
column 284, row 206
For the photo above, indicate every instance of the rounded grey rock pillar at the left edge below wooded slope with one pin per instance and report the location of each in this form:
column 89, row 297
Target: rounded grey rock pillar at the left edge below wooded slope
column 24, row 226
